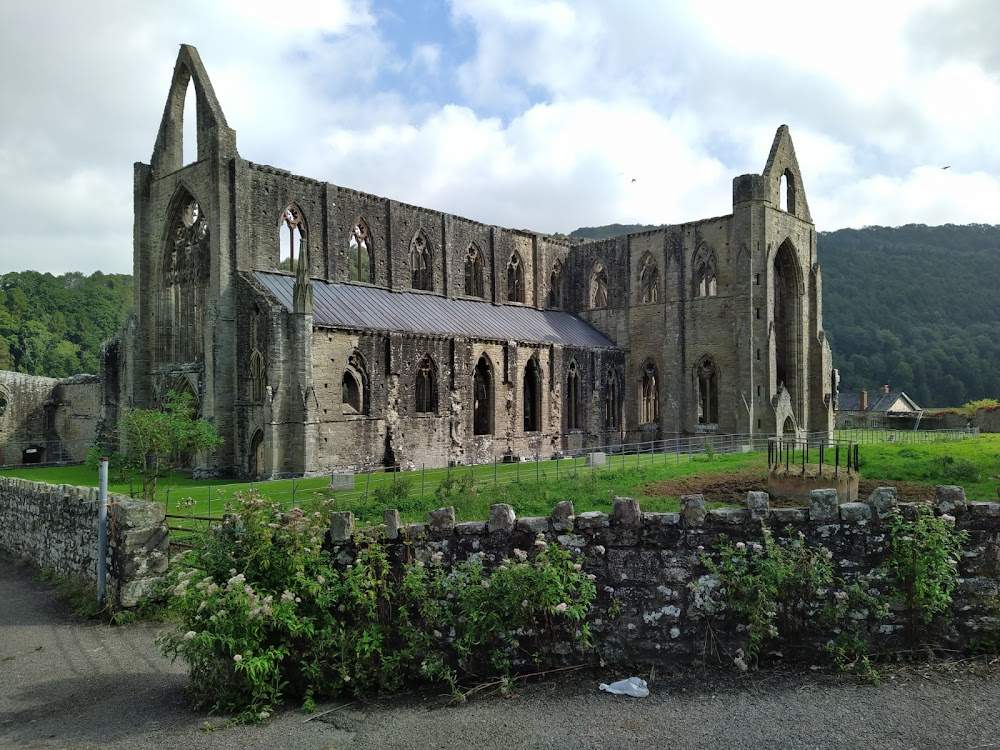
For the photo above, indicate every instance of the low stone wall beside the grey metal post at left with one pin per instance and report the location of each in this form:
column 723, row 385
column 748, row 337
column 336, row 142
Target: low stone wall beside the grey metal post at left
column 55, row 527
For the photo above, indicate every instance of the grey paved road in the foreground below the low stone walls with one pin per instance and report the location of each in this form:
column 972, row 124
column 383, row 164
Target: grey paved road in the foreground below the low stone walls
column 65, row 684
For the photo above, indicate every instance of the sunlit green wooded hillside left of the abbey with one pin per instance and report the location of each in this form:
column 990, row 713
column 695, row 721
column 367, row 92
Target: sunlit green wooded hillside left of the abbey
column 54, row 325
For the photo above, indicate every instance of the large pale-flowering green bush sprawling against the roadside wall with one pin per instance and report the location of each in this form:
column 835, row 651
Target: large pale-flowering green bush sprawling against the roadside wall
column 264, row 613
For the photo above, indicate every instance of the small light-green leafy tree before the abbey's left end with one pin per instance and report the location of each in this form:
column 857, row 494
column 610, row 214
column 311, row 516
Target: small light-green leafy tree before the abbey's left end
column 155, row 442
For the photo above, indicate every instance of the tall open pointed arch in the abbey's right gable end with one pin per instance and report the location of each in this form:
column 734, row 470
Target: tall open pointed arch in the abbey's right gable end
column 787, row 318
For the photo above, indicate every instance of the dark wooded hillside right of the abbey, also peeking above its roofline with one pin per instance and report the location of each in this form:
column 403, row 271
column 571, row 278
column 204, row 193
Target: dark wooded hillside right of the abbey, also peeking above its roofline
column 916, row 307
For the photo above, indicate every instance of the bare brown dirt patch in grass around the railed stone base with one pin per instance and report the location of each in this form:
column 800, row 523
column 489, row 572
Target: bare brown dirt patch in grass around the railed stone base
column 732, row 487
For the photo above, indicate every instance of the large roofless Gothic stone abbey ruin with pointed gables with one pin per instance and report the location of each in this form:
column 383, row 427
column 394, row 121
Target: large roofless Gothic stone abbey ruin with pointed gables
column 321, row 328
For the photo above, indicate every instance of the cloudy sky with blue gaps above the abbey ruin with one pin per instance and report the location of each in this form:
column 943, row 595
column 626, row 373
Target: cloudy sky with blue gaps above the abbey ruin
column 545, row 115
